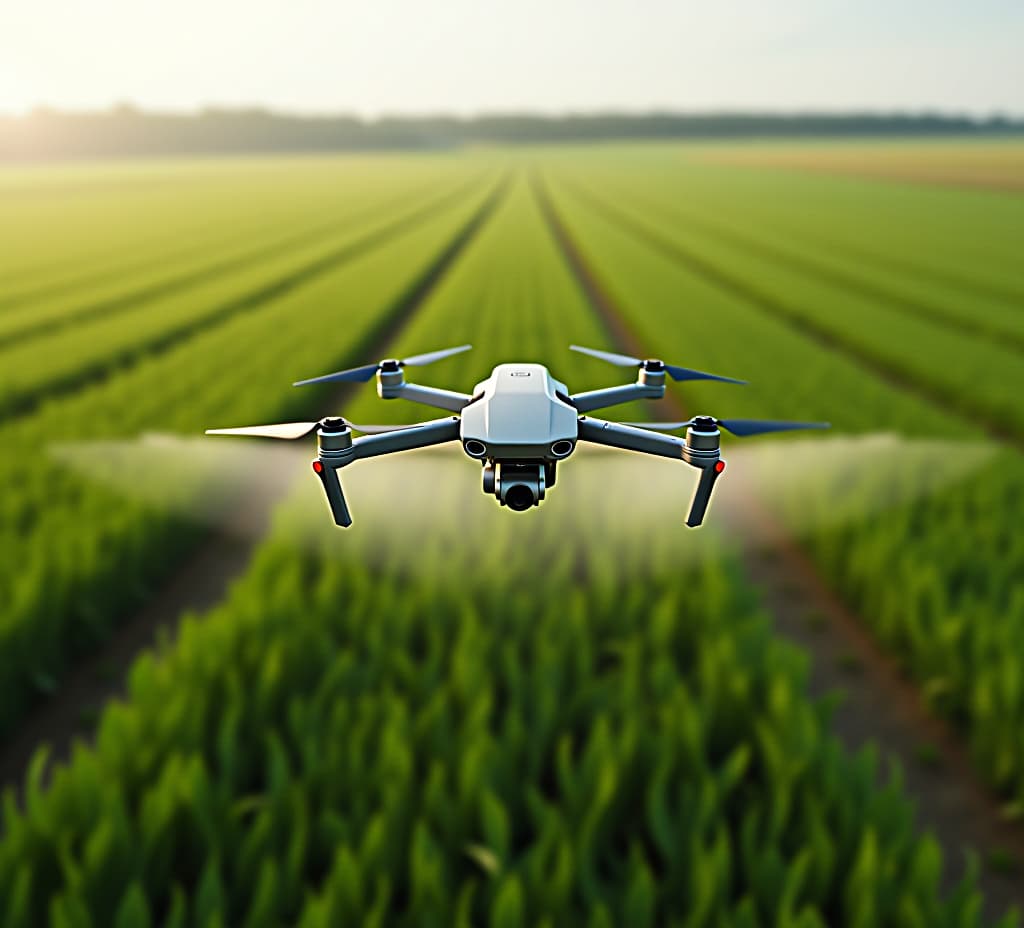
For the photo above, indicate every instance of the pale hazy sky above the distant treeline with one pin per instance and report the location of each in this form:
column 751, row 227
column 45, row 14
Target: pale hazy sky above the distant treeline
column 467, row 57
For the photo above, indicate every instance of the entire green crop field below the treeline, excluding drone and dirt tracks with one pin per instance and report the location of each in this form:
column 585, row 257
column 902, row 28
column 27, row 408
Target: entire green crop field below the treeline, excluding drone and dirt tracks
column 452, row 714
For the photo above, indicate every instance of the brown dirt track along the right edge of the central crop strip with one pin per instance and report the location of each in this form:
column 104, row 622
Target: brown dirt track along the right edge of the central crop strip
column 879, row 703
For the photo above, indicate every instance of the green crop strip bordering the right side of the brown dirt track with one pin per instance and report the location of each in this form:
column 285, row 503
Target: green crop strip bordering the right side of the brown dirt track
column 937, row 577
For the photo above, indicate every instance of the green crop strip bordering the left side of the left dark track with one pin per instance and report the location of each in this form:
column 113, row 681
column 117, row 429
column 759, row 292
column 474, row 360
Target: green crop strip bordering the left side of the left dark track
column 79, row 556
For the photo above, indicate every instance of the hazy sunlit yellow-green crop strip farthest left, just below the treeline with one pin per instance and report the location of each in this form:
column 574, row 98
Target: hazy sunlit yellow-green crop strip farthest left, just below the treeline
column 84, row 230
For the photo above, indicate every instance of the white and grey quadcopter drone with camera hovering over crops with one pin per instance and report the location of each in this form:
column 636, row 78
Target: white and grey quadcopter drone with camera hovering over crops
column 520, row 424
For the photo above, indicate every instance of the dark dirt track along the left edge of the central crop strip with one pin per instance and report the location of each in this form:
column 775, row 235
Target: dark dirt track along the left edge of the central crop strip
column 71, row 712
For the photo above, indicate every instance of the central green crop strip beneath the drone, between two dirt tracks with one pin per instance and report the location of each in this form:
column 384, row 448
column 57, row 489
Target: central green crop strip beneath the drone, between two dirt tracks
column 455, row 715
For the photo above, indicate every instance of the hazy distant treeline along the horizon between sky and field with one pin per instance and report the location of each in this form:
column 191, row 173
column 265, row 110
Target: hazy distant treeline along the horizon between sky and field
column 127, row 132
